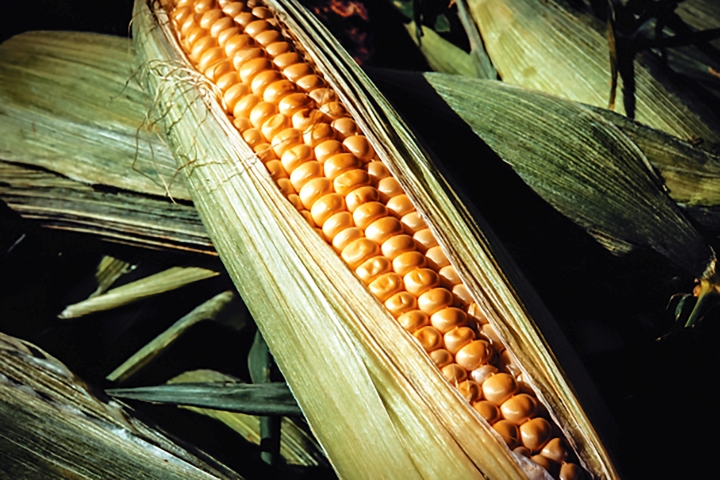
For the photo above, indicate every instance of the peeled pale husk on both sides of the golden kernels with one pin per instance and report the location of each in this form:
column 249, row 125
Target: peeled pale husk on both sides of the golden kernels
column 386, row 411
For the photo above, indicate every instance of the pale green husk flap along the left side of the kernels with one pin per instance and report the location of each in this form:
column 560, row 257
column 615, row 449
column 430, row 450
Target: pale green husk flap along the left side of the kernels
column 296, row 304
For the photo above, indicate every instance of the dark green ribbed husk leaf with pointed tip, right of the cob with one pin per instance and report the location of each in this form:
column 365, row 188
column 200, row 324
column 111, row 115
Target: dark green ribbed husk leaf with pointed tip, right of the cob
column 581, row 163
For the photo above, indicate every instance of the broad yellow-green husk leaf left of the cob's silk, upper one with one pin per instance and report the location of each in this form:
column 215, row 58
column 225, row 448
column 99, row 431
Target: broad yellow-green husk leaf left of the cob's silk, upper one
column 86, row 124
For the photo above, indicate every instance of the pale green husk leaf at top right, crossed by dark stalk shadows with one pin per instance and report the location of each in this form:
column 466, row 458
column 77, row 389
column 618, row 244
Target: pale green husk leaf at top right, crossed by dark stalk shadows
column 547, row 46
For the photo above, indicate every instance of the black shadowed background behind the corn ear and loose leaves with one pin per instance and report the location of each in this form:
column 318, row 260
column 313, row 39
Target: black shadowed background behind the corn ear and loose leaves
column 653, row 379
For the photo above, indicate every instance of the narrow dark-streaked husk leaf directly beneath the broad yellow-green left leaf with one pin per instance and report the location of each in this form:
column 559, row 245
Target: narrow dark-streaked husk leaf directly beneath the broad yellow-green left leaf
column 57, row 202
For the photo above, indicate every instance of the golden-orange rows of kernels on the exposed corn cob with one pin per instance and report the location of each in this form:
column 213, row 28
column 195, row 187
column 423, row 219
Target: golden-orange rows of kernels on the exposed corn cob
column 328, row 170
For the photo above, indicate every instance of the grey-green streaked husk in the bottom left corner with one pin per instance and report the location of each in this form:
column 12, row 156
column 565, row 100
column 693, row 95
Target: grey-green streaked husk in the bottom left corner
column 53, row 426
